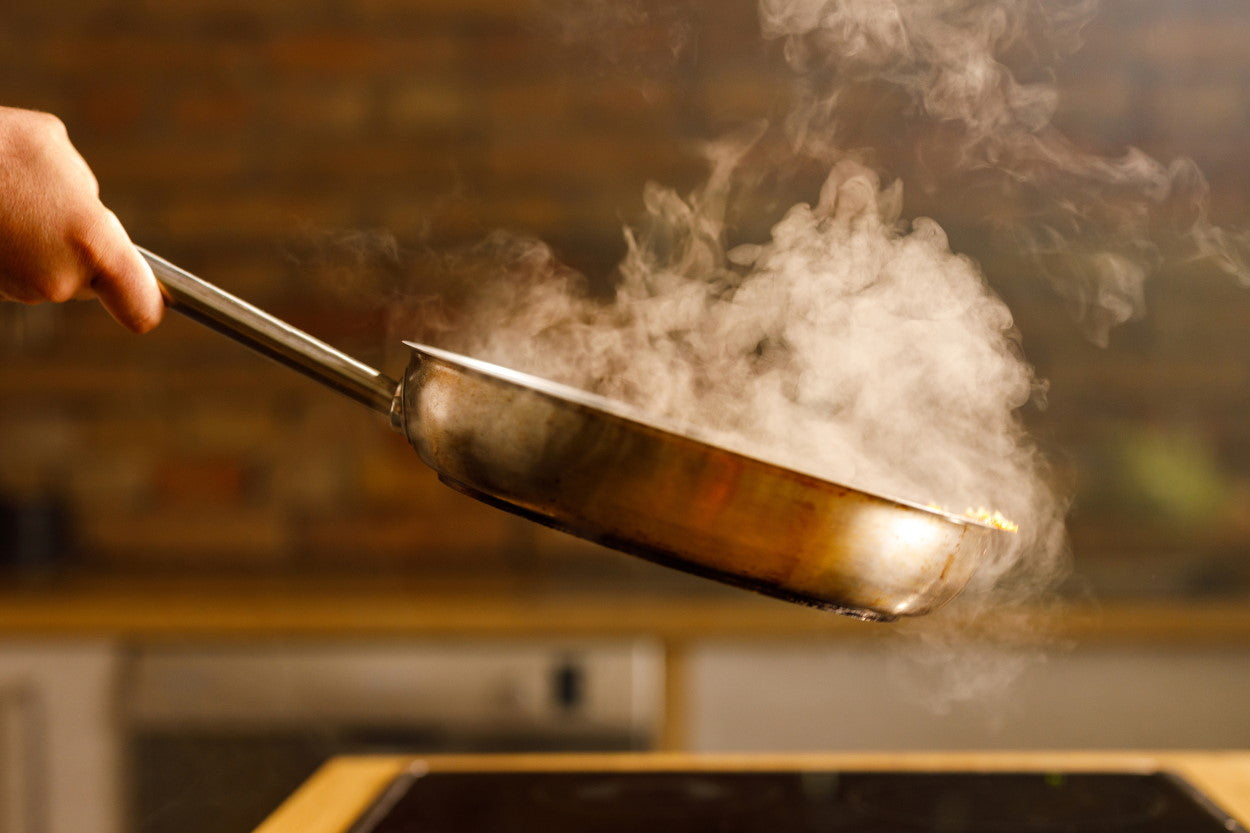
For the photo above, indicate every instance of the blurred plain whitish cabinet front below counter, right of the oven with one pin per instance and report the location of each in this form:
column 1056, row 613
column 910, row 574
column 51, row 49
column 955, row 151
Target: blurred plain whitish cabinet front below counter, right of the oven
column 783, row 697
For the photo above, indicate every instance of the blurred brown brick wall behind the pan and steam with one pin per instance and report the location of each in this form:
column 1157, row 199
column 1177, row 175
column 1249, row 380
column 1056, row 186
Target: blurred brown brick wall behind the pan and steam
column 248, row 139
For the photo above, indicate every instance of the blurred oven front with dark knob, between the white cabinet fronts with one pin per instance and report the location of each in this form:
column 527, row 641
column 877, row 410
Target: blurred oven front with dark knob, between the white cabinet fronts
column 204, row 716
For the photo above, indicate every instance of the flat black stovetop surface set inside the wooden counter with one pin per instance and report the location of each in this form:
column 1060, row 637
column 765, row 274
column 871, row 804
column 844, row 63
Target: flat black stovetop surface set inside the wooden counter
column 793, row 802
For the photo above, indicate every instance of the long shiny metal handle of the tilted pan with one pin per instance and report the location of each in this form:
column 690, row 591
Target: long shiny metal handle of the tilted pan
column 273, row 337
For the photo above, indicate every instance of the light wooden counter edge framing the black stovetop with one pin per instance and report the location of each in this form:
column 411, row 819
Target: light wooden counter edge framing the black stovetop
column 346, row 787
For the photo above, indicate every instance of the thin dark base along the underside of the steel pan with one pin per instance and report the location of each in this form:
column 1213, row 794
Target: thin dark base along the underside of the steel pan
column 669, row 560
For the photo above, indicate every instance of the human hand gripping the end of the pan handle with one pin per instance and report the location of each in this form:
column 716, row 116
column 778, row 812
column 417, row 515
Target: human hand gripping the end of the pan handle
column 57, row 240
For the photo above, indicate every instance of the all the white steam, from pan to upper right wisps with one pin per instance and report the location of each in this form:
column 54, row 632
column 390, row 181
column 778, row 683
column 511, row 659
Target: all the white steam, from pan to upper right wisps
column 853, row 343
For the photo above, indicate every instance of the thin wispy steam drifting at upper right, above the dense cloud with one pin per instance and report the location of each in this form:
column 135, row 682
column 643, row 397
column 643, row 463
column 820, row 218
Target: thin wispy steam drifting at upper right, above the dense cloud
column 1096, row 227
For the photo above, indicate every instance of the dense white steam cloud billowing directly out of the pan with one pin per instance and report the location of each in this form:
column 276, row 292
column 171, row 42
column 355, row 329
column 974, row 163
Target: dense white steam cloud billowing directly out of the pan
column 852, row 345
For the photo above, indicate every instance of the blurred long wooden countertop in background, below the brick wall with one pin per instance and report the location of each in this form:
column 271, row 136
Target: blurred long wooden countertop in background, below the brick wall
column 223, row 607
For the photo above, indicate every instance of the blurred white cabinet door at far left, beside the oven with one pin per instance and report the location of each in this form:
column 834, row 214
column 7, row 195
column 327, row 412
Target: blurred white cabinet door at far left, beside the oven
column 59, row 740
